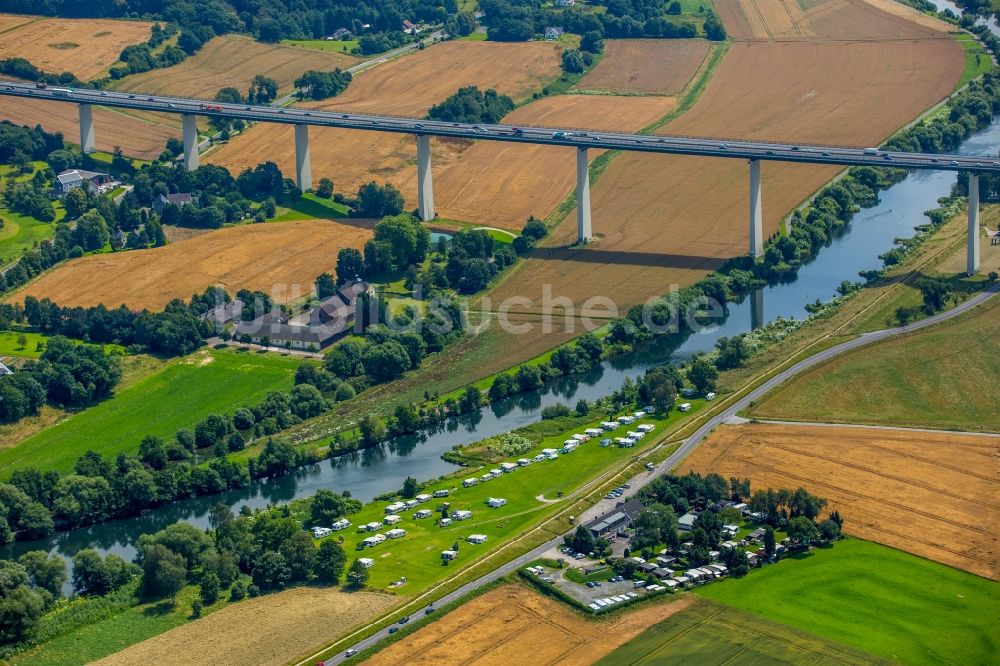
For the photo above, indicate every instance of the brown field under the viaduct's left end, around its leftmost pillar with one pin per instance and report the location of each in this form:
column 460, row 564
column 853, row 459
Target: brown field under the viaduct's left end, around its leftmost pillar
column 135, row 136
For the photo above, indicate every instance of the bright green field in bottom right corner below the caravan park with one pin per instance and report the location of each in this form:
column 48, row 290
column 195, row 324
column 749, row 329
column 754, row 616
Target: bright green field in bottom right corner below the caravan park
column 876, row 599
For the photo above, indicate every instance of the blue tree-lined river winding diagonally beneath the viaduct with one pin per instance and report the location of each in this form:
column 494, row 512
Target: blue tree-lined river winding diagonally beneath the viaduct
column 372, row 472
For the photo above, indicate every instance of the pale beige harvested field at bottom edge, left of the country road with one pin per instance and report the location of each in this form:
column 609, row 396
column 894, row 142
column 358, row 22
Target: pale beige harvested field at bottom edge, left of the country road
column 272, row 629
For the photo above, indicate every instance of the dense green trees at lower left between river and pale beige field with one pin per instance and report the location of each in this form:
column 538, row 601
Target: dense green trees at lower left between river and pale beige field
column 243, row 555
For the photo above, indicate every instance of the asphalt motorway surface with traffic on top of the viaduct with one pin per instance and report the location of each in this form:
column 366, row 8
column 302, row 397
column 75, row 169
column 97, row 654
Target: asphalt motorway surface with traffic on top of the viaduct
column 557, row 136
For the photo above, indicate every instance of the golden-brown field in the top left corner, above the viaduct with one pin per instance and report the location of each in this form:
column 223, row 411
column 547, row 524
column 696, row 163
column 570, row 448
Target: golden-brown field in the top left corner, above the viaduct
column 85, row 47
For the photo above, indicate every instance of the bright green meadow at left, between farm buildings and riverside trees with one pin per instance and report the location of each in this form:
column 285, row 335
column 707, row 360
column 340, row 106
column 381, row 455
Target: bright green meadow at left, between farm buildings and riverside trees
column 178, row 396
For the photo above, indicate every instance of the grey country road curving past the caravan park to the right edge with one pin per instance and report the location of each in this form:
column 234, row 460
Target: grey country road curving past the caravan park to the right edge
column 686, row 448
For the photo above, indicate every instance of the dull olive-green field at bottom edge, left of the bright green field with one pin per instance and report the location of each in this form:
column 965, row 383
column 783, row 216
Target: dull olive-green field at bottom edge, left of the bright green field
column 711, row 633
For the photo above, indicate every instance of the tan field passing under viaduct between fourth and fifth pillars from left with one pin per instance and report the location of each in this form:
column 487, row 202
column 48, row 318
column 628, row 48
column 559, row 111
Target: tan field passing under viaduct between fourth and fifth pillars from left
column 501, row 184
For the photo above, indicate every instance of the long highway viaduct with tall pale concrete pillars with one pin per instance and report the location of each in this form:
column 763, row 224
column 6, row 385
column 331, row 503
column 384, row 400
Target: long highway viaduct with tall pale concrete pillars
column 581, row 140
